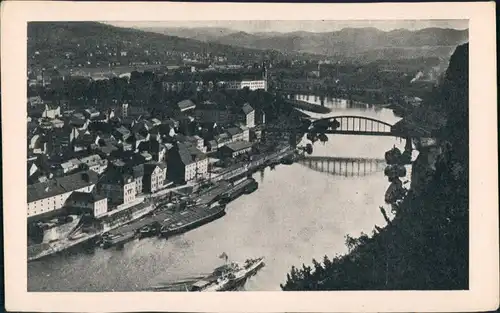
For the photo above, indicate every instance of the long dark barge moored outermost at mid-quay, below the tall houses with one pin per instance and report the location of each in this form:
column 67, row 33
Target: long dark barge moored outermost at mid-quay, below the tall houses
column 191, row 218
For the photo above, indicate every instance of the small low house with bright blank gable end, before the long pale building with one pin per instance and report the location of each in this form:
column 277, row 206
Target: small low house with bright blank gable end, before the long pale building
column 88, row 202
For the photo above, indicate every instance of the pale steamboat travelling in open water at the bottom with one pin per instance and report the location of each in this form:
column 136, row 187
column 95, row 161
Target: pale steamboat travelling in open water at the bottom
column 229, row 276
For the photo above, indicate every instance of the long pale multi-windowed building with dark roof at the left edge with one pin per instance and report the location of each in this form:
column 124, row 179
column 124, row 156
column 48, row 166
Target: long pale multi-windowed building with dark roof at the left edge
column 51, row 195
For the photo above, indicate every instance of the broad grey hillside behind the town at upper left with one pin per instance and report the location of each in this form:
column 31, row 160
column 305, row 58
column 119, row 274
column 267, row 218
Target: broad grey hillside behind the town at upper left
column 78, row 43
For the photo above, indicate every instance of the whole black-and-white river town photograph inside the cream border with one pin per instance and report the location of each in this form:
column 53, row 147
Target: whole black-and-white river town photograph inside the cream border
column 160, row 152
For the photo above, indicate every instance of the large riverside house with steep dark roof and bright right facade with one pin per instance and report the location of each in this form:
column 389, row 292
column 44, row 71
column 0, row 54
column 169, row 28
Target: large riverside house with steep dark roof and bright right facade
column 186, row 163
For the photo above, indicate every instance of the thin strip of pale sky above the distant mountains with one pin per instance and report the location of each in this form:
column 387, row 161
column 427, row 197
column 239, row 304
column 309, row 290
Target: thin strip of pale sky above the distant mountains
column 313, row 26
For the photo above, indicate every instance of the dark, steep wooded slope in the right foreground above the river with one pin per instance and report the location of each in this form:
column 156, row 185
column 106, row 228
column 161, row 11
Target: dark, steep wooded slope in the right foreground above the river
column 425, row 247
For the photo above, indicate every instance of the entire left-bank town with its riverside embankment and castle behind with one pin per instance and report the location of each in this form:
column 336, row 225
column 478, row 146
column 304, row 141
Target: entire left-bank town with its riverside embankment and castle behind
column 96, row 168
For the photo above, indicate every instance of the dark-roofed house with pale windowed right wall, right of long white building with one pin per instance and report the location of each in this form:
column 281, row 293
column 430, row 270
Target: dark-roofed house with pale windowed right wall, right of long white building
column 118, row 187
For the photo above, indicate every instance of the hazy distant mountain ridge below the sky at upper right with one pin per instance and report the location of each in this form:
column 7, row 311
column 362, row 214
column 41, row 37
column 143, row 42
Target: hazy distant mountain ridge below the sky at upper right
column 345, row 42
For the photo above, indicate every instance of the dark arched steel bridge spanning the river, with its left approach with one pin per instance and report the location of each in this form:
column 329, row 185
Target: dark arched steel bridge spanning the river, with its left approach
column 342, row 124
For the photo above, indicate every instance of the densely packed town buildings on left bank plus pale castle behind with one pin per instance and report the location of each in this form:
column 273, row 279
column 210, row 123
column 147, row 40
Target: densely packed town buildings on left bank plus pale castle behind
column 93, row 160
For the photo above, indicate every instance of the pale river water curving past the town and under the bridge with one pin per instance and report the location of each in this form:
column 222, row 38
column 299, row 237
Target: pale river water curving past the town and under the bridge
column 298, row 213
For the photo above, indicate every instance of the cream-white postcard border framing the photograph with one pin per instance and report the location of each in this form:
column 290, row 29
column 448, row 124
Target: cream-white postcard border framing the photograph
column 484, row 282
